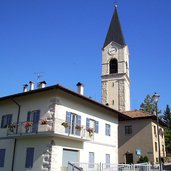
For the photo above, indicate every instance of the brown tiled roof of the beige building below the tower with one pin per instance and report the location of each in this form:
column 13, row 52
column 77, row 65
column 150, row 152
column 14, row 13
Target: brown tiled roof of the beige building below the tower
column 139, row 114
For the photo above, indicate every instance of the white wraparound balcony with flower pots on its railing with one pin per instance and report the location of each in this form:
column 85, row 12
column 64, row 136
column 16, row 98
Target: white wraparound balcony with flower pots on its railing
column 57, row 127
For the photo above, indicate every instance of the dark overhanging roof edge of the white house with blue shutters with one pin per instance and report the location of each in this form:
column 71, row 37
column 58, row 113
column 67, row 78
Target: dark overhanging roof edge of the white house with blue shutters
column 121, row 116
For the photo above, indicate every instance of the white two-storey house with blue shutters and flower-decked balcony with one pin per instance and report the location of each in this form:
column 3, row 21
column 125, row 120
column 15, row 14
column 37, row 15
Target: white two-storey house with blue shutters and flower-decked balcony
column 43, row 129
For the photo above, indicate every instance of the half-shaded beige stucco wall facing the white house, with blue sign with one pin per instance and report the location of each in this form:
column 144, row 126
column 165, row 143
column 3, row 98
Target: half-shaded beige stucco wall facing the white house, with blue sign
column 141, row 138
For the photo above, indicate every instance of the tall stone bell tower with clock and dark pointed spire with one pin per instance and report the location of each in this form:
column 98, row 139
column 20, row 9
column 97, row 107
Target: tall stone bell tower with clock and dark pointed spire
column 115, row 68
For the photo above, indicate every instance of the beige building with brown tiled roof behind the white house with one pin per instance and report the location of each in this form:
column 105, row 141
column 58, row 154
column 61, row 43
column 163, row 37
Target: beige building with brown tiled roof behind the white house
column 138, row 137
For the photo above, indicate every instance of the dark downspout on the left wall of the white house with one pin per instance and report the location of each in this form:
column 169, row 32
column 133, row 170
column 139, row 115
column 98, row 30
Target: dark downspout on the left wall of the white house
column 15, row 141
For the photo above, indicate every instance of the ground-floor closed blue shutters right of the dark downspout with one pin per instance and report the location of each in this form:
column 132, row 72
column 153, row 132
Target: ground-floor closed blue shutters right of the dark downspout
column 29, row 158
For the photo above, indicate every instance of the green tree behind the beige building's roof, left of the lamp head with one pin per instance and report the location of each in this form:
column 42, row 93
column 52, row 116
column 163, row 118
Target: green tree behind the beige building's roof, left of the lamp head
column 149, row 105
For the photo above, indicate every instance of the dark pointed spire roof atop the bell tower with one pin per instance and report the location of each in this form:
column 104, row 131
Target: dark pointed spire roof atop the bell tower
column 115, row 32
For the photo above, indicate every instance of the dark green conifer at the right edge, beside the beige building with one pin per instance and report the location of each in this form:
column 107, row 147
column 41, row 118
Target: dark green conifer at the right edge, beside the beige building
column 167, row 119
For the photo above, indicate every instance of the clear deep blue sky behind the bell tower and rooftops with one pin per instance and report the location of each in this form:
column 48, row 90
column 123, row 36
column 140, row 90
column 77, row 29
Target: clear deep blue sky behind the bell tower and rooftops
column 62, row 40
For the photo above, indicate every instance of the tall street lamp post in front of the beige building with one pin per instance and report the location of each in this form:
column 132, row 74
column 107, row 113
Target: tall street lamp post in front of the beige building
column 155, row 98
